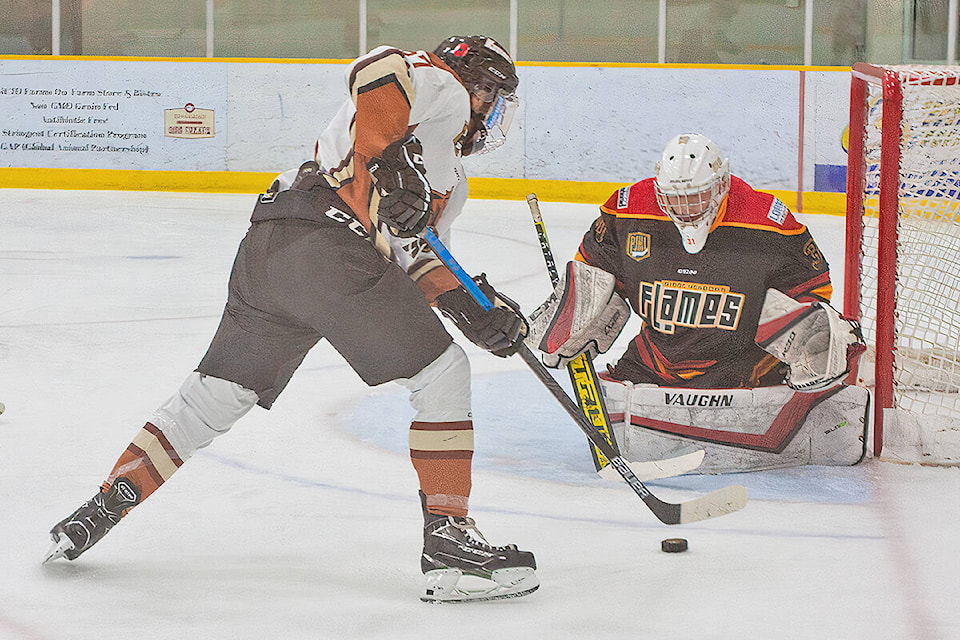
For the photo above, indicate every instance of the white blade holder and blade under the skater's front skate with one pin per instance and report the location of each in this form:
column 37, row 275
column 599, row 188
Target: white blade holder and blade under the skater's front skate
column 450, row 585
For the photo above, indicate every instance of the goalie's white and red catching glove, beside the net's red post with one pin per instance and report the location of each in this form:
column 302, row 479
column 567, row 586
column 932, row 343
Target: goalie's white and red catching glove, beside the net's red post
column 818, row 345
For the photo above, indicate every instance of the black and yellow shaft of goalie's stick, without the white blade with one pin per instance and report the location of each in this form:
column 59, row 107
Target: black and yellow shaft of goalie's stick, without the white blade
column 583, row 375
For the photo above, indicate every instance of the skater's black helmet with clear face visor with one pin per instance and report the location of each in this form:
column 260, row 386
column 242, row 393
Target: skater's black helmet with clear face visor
column 487, row 71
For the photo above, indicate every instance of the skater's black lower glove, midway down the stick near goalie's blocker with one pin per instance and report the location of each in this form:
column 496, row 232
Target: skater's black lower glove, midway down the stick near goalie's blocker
column 500, row 330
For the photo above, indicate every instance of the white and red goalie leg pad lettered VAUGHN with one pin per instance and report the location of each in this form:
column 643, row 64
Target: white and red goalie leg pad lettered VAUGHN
column 740, row 429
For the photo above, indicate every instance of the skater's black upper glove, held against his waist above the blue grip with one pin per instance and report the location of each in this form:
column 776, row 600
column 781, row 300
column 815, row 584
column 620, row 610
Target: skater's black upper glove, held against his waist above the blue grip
column 399, row 177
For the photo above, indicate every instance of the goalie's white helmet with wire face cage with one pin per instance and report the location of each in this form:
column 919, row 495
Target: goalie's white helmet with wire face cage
column 692, row 179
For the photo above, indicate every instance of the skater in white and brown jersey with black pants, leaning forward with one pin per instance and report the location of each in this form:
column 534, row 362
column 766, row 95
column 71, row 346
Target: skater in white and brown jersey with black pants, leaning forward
column 313, row 266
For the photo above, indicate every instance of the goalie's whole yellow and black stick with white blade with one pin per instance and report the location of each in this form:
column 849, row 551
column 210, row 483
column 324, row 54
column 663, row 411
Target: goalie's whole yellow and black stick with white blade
column 586, row 384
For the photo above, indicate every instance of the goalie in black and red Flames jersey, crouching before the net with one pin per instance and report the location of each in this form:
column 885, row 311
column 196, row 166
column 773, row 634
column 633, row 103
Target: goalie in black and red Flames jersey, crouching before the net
column 739, row 352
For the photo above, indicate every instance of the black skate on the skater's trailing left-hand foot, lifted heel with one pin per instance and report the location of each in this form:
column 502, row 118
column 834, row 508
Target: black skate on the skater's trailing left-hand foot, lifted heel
column 85, row 526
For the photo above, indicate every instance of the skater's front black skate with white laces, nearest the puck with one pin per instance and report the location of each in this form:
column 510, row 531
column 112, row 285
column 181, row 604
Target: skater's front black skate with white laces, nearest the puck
column 460, row 565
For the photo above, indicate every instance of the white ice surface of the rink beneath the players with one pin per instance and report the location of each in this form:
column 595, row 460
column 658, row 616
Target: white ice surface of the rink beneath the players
column 303, row 521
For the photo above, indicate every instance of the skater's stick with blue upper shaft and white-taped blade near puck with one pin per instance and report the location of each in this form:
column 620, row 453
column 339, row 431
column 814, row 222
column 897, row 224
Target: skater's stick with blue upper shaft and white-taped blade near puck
column 717, row 503
